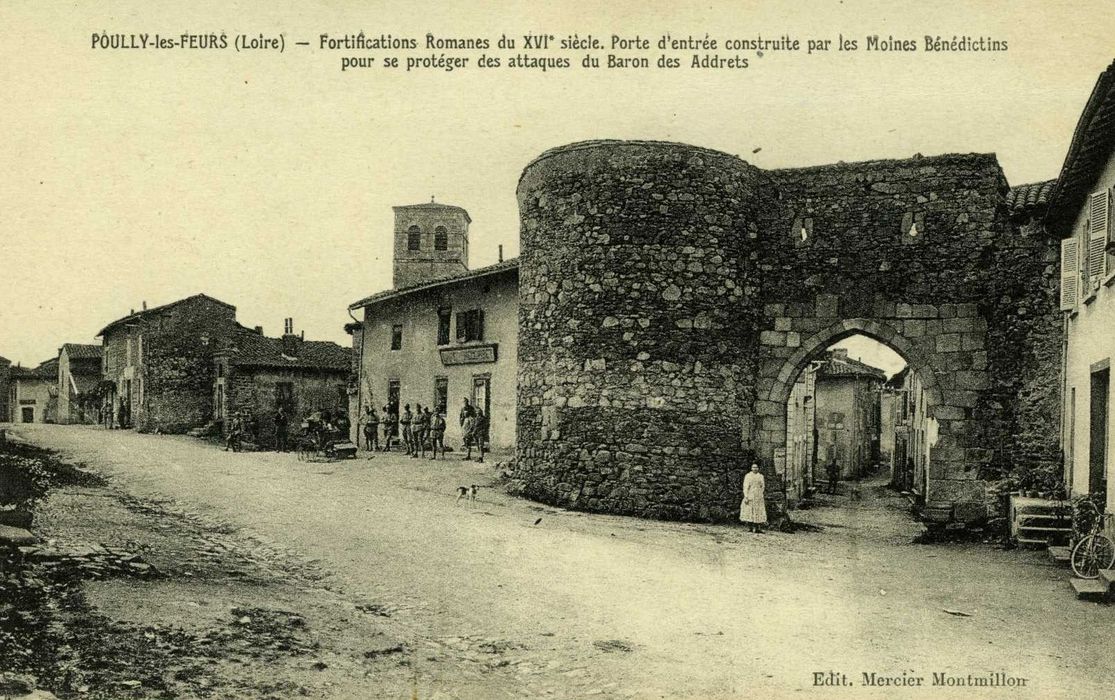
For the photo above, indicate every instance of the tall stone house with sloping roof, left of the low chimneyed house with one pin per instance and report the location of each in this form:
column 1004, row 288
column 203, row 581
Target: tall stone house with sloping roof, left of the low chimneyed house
column 160, row 363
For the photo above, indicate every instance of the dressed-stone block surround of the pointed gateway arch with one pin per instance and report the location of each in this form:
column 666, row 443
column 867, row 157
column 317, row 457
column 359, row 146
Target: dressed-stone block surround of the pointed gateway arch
column 945, row 346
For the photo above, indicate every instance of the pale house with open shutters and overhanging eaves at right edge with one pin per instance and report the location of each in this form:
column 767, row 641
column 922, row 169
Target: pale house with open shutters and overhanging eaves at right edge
column 1080, row 212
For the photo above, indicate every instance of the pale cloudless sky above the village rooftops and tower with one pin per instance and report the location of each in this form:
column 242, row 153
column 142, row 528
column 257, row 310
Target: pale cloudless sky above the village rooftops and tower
column 267, row 180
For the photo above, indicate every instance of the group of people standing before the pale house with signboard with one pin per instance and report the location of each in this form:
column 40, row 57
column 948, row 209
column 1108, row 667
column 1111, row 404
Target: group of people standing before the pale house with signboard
column 422, row 430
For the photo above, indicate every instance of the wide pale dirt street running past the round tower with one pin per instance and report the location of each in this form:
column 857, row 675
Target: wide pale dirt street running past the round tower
column 570, row 605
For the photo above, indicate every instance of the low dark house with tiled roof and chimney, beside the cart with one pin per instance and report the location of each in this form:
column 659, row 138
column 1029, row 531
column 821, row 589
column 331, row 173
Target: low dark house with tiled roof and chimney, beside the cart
column 255, row 376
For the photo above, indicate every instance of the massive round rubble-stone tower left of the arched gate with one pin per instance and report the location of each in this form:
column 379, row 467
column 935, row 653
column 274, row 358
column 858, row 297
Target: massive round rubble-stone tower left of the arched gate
column 638, row 328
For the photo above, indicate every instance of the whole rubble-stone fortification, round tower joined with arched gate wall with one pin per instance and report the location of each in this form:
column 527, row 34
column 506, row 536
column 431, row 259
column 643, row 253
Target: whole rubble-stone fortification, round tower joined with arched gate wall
column 671, row 296
